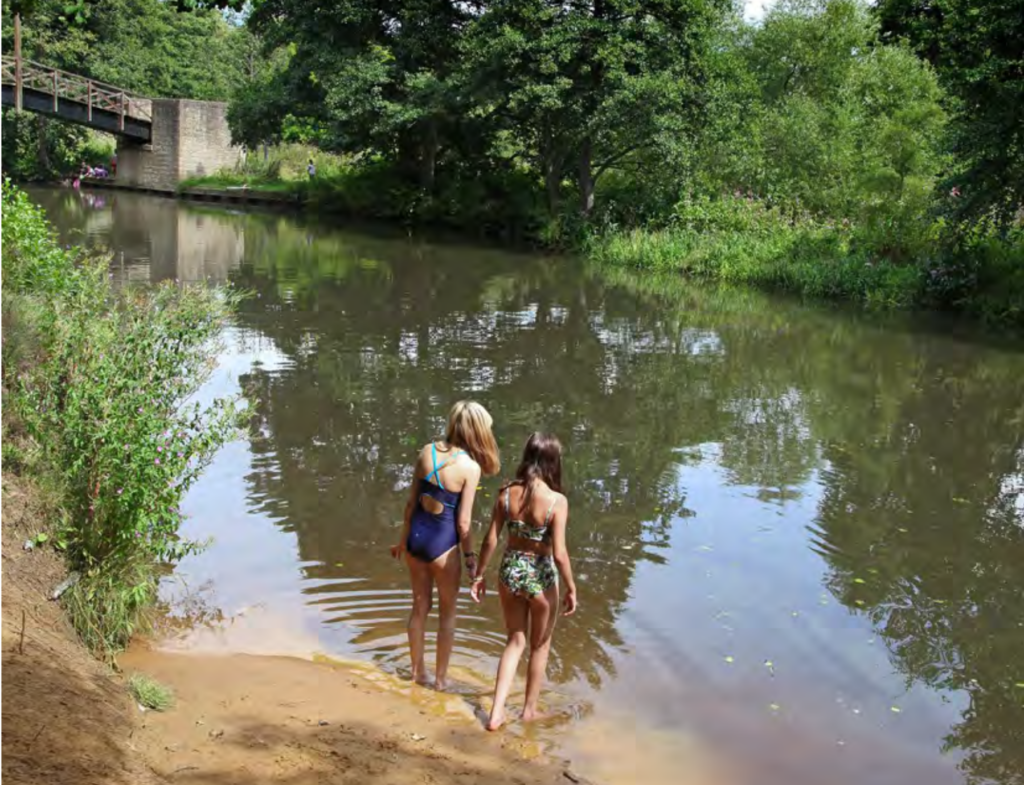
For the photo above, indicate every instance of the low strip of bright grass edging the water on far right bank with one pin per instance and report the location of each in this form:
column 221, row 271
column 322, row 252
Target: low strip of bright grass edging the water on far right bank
column 984, row 279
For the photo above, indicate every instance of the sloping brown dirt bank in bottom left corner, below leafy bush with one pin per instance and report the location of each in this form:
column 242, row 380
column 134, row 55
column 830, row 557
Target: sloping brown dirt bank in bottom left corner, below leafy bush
column 67, row 720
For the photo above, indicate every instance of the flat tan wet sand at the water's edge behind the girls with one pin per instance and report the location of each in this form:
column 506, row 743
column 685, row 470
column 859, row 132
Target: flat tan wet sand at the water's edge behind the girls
column 243, row 719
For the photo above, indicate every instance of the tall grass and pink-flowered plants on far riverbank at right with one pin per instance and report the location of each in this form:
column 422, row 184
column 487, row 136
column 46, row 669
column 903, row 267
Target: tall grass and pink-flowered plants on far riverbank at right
column 923, row 263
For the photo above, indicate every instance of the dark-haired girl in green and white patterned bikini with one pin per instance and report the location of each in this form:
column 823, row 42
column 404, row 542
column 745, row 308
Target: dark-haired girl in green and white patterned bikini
column 537, row 514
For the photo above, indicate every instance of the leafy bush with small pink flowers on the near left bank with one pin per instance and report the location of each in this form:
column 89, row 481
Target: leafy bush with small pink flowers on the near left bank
column 98, row 379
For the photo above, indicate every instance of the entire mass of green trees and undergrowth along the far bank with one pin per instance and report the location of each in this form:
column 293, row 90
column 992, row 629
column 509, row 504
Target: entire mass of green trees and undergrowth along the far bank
column 834, row 149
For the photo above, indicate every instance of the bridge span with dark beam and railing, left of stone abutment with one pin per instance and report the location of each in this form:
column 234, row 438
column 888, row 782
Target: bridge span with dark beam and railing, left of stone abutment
column 32, row 86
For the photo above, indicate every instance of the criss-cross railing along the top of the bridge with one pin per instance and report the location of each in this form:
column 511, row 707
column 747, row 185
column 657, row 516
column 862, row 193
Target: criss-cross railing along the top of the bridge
column 27, row 75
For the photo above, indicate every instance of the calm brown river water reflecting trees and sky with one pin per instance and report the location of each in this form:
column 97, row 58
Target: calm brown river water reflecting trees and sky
column 798, row 532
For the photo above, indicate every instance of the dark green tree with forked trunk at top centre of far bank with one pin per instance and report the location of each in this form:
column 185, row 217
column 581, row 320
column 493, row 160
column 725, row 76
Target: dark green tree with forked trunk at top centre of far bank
column 584, row 88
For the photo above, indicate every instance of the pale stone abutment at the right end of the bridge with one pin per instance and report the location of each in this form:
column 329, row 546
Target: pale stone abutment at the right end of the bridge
column 190, row 140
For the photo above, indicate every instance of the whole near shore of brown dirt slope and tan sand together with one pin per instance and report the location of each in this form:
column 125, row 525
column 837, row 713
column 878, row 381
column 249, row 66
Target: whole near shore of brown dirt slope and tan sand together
column 68, row 720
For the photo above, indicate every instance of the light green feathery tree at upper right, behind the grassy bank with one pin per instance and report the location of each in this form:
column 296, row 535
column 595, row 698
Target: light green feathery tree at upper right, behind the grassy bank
column 844, row 126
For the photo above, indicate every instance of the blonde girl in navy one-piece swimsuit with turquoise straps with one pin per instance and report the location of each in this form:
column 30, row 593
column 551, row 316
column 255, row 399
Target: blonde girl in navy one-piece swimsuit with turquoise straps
column 438, row 520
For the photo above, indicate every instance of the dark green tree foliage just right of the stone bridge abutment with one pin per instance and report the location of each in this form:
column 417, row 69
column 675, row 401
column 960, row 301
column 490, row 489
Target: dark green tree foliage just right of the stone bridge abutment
column 377, row 76
